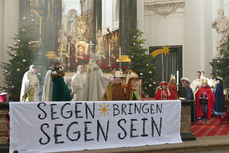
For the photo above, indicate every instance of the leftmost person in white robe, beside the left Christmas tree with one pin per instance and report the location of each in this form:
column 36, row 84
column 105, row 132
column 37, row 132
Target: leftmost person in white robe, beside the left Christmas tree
column 30, row 86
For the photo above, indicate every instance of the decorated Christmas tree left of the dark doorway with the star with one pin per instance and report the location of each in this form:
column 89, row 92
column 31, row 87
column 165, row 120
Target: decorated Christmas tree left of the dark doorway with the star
column 141, row 62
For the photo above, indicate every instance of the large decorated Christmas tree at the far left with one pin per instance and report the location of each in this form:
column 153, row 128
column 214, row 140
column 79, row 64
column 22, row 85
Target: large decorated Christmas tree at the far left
column 22, row 55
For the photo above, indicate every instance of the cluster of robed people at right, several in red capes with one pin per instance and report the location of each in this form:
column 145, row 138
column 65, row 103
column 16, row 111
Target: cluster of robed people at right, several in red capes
column 208, row 94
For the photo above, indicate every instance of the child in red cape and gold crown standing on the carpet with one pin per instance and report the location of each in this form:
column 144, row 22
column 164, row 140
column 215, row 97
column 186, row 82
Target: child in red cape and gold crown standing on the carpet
column 204, row 102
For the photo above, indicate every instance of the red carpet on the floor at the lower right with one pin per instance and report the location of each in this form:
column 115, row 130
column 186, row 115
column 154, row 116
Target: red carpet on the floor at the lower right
column 214, row 128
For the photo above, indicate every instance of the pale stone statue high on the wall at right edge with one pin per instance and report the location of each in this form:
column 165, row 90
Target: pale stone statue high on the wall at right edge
column 221, row 24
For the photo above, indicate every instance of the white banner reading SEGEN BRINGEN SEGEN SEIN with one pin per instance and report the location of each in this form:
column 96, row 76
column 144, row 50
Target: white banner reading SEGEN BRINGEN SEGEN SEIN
column 72, row 126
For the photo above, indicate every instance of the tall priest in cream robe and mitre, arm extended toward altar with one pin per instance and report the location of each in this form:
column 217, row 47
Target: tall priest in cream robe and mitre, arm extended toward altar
column 96, row 81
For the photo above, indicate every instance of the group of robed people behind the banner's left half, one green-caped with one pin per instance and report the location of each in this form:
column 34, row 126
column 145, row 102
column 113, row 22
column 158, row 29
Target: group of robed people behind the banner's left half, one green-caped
column 56, row 89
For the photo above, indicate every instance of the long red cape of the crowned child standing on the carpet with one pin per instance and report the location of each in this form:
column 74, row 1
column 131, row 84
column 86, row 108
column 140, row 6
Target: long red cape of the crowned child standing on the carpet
column 211, row 100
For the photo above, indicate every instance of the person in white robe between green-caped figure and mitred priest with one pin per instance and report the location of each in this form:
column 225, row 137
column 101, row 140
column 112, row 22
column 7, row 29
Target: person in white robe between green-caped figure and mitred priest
column 78, row 84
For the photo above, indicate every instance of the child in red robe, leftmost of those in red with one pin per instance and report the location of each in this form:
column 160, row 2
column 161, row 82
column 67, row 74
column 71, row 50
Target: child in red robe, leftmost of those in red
column 163, row 92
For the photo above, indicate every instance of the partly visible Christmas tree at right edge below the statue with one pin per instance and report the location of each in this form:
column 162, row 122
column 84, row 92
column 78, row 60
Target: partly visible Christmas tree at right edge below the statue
column 221, row 66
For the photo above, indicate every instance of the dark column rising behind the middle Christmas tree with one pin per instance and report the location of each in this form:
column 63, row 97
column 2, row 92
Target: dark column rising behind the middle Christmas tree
column 127, row 21
